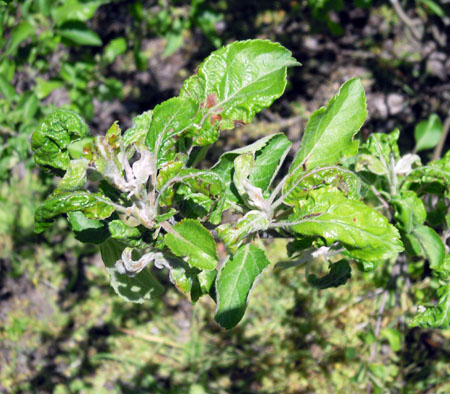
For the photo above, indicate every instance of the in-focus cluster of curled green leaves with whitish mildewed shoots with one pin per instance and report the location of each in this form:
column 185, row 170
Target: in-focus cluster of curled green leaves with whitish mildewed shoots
column 139, row 195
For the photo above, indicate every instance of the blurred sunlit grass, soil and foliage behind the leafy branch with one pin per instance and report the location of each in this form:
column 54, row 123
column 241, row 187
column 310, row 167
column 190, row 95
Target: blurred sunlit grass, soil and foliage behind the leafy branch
column 62, row 328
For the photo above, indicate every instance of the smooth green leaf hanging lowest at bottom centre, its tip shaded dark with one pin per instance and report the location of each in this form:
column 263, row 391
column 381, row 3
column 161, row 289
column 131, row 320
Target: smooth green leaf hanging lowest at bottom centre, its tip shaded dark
column 234, row 283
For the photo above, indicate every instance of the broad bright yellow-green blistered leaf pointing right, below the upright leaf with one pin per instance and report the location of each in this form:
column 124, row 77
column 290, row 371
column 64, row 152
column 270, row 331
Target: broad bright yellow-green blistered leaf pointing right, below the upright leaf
column 365, row 233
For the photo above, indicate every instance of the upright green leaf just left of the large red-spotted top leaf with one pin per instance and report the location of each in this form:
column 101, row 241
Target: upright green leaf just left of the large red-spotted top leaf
column 170, row 119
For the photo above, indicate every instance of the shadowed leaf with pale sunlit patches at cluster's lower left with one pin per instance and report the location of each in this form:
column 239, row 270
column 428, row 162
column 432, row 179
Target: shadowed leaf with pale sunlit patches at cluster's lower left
column 138, row 288
